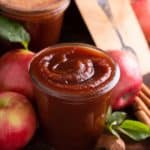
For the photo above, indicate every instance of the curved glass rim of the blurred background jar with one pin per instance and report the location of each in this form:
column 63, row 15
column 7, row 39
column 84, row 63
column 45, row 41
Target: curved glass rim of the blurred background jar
column 55, row 8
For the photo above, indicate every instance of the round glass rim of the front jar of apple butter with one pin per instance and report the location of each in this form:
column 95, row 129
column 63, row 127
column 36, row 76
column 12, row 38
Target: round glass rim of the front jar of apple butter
column 73, row 97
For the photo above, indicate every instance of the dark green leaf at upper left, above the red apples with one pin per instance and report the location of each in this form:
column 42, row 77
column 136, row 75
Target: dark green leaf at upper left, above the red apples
column 13, row 32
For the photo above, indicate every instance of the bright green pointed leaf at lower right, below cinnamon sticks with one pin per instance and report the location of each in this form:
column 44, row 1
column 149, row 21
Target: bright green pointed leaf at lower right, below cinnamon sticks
column 135, row 130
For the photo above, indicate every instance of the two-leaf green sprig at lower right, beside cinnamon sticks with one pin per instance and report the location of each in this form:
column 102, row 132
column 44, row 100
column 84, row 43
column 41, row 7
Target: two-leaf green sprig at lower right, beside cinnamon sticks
column 115, row 123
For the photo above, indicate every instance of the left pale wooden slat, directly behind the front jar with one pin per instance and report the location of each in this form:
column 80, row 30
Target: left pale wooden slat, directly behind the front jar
column 98, row 24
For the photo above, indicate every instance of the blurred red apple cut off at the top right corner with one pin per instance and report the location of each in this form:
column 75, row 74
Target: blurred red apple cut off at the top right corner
column 142, row 11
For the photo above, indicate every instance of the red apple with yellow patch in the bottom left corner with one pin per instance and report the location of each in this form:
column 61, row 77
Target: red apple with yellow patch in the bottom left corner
column 17, row 121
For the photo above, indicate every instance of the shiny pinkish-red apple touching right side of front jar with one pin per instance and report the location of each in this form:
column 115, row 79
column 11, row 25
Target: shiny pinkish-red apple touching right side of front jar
column 130, row 81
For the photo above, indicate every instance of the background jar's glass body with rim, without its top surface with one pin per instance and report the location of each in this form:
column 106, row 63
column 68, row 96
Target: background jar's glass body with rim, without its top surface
column 43, row 25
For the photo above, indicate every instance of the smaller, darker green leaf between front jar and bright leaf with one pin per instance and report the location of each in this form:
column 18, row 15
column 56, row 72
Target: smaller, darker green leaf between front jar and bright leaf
column 116, row 118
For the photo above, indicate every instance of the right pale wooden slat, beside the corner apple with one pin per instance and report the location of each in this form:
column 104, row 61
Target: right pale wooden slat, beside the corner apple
column 131, row 32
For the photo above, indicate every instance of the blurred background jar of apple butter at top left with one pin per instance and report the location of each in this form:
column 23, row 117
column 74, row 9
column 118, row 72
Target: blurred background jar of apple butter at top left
column 41, row 18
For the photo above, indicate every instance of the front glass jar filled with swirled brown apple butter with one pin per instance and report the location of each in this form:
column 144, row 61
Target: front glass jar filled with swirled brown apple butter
column 73, row 84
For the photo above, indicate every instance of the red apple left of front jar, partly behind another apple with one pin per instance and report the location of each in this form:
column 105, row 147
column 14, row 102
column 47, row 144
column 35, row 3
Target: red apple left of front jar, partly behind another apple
column 14, row 74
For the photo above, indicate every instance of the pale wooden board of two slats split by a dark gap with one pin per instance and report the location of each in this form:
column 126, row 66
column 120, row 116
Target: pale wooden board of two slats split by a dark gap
column 102, row 31
